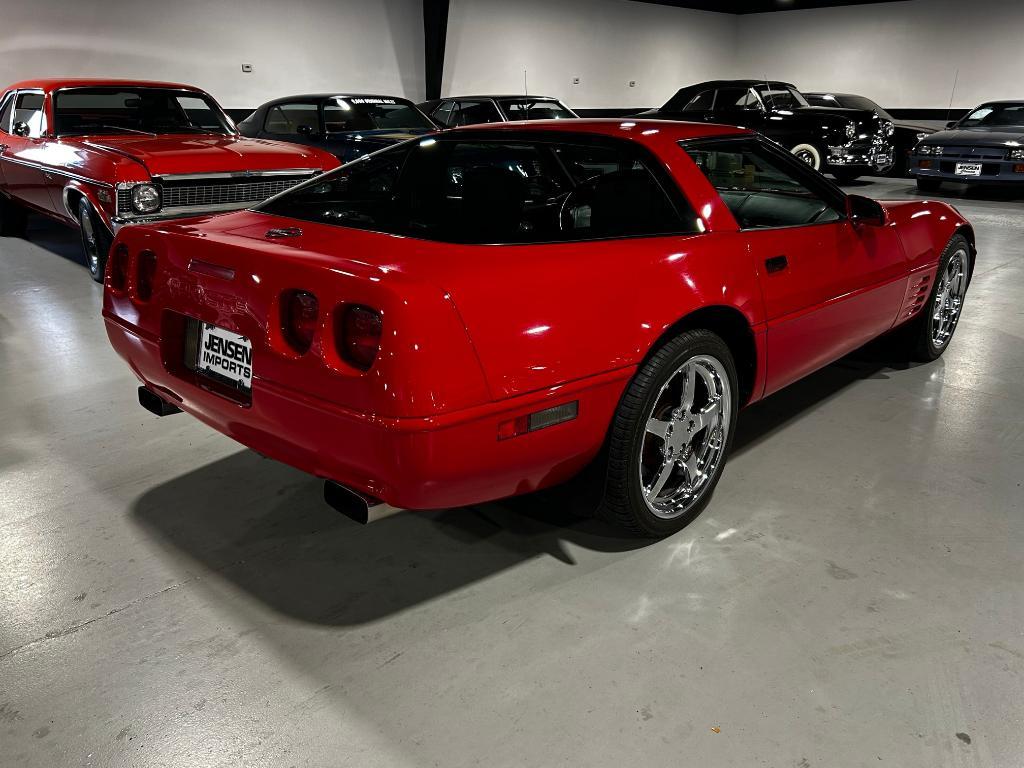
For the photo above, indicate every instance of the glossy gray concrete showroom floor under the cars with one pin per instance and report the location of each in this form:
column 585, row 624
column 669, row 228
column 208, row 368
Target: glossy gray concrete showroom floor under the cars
column 852, row 598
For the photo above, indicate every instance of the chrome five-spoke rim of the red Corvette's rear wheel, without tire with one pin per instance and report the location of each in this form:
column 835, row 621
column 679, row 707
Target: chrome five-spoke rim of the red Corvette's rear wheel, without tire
column 686, row 436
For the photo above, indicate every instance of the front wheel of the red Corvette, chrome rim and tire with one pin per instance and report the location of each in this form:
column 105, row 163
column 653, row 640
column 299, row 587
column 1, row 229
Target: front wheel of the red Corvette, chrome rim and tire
column 928, row 335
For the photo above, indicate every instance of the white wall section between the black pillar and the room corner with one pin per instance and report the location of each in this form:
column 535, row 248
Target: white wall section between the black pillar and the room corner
column 606, row 44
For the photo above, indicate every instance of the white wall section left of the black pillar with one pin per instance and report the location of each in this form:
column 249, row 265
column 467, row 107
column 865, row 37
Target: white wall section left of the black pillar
column 294, row 47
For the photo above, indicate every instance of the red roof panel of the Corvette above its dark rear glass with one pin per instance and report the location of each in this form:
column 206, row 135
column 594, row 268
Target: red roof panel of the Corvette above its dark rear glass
column 635, row 130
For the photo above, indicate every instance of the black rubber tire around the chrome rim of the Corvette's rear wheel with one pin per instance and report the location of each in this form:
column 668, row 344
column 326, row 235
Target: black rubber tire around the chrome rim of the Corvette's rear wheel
column 625, row 502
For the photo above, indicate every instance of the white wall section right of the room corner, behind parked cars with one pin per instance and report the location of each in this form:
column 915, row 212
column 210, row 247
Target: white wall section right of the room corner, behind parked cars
column 902, row 55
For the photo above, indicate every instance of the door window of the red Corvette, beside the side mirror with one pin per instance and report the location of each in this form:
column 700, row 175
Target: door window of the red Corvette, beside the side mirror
column 761, row 190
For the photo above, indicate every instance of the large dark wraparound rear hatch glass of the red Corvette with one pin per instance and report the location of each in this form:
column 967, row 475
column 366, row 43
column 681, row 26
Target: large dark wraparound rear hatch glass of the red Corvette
column 478, row 192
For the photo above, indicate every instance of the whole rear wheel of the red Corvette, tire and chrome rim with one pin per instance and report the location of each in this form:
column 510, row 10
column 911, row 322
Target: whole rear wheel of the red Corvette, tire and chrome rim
column 671, row 436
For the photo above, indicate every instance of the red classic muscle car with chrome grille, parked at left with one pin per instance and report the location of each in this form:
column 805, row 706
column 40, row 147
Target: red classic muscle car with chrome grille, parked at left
column 99, row 154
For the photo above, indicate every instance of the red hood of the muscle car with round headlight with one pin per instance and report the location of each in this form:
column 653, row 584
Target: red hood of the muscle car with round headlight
column 208, row 154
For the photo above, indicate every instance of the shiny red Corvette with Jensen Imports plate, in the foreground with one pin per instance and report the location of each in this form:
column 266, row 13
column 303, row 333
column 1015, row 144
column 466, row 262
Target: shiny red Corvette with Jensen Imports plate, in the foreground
column 488, row 311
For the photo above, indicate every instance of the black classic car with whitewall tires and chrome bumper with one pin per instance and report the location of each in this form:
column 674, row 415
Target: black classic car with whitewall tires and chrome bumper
column 846, row 144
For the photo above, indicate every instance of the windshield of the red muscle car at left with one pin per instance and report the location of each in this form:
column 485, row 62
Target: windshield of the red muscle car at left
column 127, row 110
